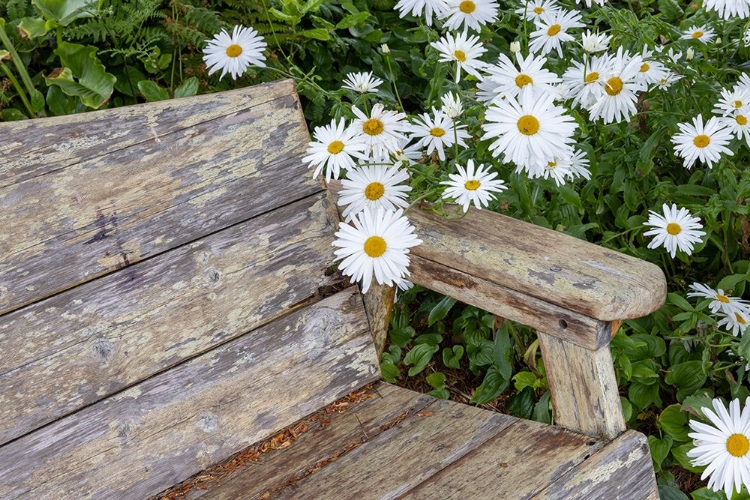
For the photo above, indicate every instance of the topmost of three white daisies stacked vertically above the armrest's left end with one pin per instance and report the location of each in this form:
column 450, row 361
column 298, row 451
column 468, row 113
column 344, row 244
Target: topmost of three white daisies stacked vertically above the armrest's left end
column 382, row 131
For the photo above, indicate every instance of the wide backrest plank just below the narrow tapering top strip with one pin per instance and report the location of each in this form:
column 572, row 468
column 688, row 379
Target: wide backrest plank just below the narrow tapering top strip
column 109, row 211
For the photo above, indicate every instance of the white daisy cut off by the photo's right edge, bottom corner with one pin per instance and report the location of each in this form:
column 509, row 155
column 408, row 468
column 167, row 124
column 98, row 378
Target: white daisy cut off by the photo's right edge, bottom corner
column 724, row 446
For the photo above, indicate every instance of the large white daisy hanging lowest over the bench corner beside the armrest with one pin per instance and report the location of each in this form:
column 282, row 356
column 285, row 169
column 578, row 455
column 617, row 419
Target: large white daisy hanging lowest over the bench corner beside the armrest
column 378, row 244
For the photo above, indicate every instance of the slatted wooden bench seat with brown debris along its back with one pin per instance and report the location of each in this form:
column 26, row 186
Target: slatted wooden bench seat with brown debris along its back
column 384, row 441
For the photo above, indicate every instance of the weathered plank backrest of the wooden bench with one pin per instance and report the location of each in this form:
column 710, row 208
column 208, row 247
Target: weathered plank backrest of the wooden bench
column 163, row 292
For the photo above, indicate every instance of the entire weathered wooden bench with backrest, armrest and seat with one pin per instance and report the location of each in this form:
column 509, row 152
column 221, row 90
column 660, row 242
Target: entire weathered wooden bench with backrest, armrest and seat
column 167, row 299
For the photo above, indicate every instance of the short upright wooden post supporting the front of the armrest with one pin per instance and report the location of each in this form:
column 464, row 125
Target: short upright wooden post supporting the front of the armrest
column 583, row 387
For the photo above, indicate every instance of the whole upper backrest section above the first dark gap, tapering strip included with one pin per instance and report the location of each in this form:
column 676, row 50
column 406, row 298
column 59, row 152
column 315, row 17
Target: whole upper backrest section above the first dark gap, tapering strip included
column 88, row 211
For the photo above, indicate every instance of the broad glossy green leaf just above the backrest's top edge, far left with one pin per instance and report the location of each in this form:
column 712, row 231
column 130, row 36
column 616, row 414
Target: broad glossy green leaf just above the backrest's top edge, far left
column 83, row 75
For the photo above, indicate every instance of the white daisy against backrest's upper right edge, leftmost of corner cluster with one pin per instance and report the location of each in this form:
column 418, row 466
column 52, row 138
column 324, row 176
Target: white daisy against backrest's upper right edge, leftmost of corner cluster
column 334, row 147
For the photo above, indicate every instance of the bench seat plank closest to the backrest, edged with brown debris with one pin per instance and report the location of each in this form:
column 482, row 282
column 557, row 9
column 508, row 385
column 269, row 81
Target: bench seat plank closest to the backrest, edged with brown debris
column 324, row 442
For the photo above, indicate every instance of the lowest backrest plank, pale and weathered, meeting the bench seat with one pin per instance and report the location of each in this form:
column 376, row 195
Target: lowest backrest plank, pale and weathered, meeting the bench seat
column 167, row 428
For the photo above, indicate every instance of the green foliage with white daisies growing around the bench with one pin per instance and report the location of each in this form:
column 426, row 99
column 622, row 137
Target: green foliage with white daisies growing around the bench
column 623, row 123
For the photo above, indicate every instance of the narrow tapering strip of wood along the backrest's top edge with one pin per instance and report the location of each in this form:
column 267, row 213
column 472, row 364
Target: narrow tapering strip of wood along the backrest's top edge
column 31, row 148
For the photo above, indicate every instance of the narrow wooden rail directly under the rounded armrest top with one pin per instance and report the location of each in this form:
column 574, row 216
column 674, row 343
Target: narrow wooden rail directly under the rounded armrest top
column 516, row 306
